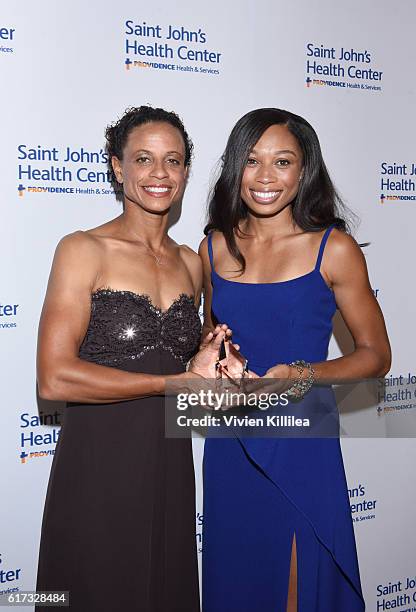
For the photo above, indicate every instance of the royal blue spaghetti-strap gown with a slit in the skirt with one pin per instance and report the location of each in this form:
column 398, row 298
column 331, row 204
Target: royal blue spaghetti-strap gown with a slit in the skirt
column 259, row 492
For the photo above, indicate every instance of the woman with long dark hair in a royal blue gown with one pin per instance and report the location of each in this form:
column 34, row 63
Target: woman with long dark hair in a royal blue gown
column 278, row 262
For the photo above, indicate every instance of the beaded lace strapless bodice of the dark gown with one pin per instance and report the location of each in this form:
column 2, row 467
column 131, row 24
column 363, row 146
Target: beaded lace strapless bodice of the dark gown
column 126, row 325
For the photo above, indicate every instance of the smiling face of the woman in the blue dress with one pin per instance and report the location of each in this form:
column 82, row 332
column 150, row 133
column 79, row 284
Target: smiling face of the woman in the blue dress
column 271, row 178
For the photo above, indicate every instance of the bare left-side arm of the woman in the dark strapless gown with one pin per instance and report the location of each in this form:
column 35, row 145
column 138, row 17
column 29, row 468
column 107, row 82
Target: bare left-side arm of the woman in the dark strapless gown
column 62, row 375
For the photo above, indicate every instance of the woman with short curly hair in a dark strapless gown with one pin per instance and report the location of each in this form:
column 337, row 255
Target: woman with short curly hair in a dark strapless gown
column 121, row 318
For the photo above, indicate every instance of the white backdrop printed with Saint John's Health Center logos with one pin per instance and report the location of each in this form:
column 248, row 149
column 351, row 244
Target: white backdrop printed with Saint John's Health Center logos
column 69, row 69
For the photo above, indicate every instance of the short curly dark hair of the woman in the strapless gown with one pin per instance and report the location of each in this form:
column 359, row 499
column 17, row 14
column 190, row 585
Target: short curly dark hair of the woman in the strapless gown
column 117, row 133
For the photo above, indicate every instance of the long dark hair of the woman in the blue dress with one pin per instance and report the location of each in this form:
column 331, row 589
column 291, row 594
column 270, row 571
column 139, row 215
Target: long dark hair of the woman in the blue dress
column 316, row 206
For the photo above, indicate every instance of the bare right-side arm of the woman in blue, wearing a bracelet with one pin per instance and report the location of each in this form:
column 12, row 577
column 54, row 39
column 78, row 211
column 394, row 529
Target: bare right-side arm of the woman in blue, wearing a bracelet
column 344, row 269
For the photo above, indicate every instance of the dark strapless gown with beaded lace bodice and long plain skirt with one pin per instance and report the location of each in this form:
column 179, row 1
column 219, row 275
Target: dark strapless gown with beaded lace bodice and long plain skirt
column 118, row 529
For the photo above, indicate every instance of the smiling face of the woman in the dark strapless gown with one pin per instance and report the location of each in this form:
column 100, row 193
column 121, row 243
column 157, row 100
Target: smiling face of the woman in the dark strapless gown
column 152, row 170
